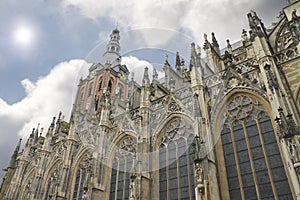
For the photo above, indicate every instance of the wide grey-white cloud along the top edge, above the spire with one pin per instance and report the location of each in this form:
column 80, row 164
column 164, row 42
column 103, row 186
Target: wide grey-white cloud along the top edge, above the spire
column 224, row 17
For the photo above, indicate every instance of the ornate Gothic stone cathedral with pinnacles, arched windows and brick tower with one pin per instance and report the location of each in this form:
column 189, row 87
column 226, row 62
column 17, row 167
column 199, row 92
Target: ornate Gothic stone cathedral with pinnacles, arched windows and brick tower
column 225, row 126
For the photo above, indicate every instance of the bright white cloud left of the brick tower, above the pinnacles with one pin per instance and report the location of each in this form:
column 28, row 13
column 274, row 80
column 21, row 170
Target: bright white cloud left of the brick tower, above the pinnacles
column 45, row 98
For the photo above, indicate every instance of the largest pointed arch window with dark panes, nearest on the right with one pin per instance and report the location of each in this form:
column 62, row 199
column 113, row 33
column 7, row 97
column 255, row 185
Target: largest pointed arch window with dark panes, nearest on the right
column 253, row 162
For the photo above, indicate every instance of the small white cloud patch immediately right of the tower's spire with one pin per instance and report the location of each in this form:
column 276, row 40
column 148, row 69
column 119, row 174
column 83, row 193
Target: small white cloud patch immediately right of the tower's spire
column 138, row 66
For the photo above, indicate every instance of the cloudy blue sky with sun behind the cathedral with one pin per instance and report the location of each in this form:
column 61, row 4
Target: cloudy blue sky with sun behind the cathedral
column 47, row 45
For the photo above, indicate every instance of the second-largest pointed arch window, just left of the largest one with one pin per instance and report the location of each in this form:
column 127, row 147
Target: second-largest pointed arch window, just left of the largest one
column 176, row 162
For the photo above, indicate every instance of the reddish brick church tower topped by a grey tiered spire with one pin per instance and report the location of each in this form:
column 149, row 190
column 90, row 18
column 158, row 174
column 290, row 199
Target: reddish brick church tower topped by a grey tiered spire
column 108, row 78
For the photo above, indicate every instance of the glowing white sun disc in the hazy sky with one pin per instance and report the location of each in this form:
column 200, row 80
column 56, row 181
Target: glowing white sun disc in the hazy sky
column 23, row 35
